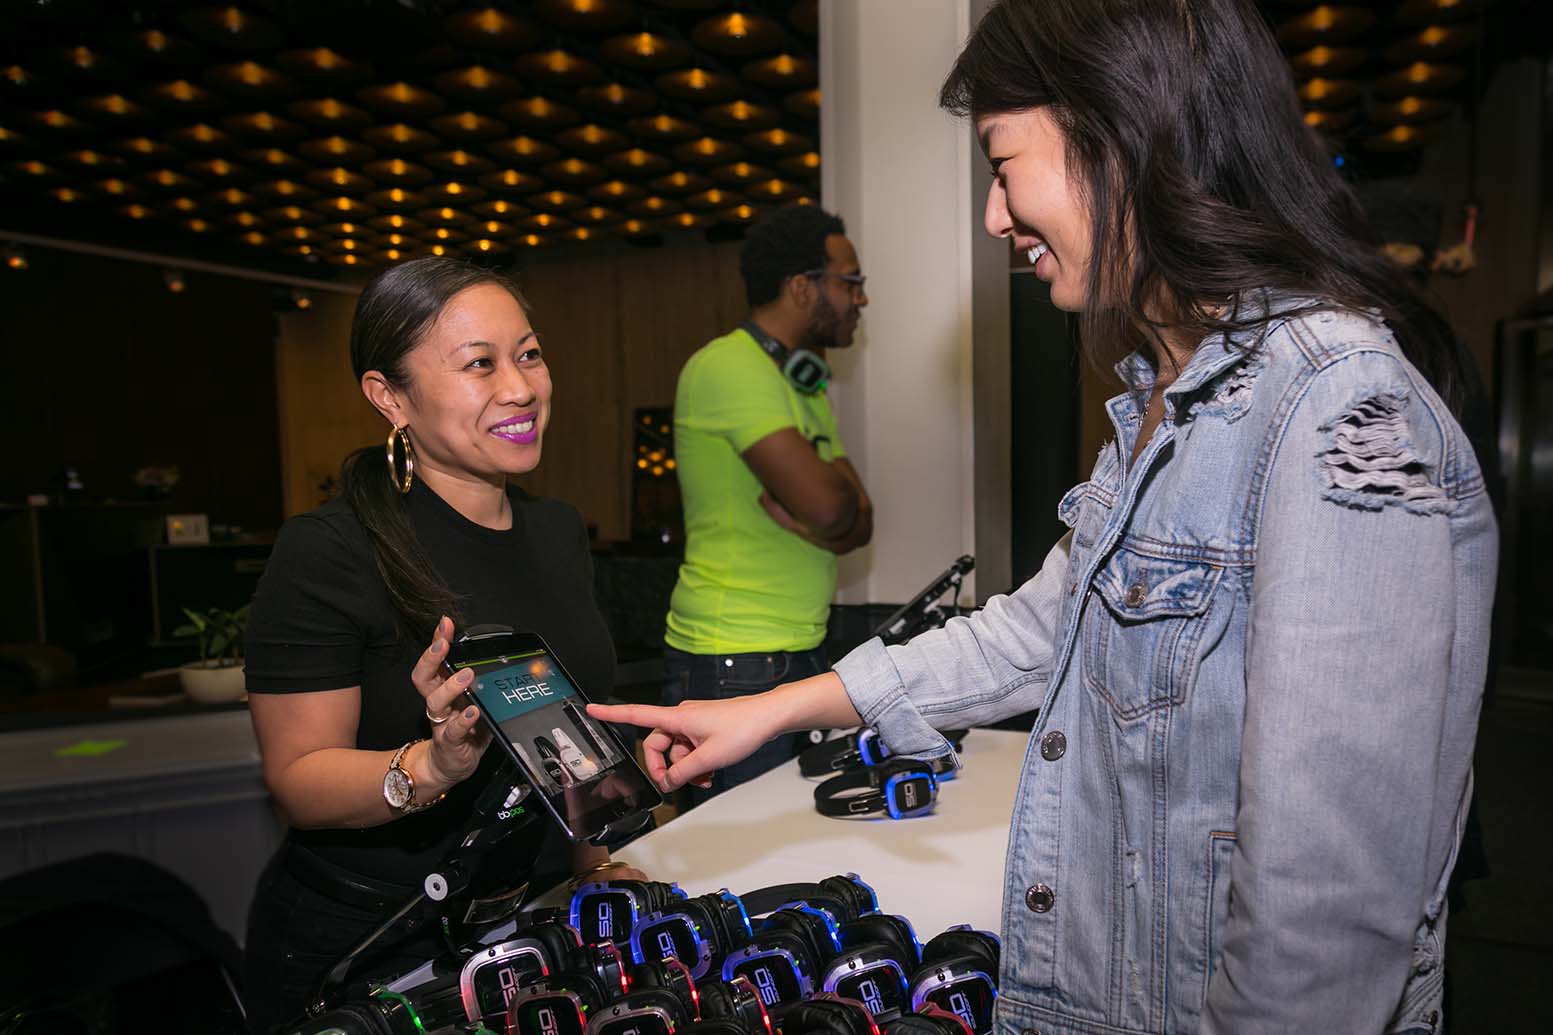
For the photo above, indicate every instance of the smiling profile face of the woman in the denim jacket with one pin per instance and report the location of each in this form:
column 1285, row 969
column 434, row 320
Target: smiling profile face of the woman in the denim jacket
column 1035, row 203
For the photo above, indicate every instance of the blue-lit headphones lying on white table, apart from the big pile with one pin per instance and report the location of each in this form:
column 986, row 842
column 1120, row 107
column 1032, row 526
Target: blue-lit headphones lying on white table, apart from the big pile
column 864, row 779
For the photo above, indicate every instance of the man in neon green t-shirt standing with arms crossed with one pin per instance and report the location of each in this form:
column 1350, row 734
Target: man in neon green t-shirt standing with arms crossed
column 770, row 495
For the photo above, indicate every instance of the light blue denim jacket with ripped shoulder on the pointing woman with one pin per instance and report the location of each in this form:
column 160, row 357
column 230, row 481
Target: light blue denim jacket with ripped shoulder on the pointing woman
column 1259, row 660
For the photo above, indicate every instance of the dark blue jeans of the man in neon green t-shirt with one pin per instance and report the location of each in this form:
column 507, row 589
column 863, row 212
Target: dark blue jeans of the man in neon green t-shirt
column 723, row 677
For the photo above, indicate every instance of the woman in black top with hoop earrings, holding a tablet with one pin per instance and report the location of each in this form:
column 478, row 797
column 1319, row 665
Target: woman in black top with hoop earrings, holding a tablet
column 355, row 616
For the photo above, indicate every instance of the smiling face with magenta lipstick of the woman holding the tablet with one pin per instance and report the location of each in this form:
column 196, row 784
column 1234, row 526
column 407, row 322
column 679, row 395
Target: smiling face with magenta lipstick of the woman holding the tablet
column 479, row 396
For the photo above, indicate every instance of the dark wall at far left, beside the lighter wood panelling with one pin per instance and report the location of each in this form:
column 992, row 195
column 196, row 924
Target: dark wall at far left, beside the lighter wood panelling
column 109, row 372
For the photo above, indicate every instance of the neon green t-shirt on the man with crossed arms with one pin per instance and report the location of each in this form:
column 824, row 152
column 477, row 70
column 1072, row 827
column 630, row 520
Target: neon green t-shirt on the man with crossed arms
column 748, row 585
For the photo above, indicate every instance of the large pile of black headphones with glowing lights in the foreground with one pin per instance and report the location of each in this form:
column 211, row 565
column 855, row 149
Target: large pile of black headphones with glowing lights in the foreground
column 639, row 958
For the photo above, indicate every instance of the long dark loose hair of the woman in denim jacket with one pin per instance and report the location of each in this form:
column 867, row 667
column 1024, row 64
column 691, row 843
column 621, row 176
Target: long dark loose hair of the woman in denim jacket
column 1204, row 183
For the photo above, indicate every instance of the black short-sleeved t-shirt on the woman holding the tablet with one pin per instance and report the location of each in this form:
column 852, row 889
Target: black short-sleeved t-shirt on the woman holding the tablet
column 322, row 621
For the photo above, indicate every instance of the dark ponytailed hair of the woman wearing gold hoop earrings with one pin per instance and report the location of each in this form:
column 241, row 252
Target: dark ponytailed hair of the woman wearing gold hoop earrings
column 392, row 316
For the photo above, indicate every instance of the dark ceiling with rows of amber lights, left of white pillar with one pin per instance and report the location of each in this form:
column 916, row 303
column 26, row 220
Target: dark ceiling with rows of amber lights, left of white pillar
column 360, row 133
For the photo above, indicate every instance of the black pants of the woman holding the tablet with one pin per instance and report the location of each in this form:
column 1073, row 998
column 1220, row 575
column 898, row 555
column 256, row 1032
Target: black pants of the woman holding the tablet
column 297, row 933
